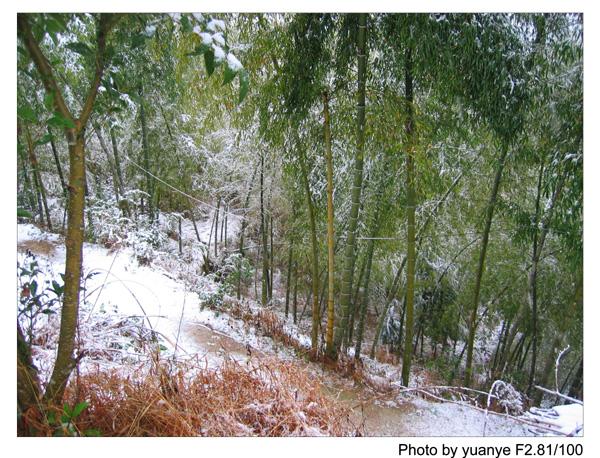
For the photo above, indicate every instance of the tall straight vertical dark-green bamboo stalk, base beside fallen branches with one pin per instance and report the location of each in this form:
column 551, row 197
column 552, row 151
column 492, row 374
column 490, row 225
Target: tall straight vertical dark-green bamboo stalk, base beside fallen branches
column 410, row 218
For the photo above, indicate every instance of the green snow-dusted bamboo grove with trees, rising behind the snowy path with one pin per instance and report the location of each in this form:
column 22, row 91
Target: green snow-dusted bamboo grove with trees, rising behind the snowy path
column 409, row 186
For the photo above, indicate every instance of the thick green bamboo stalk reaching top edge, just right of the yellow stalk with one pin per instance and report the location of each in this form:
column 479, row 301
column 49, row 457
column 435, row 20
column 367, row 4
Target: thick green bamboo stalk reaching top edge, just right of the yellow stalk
column 349, row 255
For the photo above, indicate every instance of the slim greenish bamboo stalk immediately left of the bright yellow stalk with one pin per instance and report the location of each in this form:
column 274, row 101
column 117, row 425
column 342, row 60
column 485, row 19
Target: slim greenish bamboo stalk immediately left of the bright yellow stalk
column 315, row 257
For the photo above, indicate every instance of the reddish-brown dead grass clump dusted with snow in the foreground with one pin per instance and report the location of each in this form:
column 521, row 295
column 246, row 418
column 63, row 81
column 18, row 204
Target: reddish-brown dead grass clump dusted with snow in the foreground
column 261, row 398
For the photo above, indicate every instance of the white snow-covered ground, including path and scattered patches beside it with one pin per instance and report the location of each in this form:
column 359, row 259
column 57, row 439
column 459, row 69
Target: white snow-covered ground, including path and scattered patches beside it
column 166, row 302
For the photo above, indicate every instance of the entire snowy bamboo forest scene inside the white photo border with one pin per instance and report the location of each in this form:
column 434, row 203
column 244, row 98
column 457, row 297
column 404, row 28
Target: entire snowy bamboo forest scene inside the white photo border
column 299, row 224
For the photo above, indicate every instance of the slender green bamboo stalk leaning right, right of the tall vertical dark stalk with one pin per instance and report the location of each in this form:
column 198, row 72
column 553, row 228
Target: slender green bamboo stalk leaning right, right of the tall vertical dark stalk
column 481, row 265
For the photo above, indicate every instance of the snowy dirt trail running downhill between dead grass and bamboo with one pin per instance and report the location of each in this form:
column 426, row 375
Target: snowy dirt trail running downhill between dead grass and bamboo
column 124, row 288
